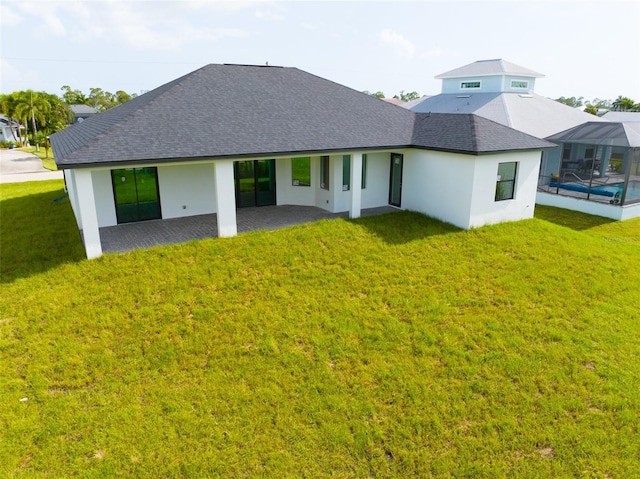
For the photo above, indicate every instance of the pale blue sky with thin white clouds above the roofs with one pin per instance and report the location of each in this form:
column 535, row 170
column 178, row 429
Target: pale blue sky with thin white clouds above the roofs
column 584, row 48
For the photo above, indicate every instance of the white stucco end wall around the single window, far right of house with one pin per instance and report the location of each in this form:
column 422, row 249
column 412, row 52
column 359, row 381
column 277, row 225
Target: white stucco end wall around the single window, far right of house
column 484, row 209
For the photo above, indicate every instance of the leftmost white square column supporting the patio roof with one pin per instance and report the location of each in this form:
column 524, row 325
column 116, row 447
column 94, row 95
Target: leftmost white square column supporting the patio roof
column 88, row 215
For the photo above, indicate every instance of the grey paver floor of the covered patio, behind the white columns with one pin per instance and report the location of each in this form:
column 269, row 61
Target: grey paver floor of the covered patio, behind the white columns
column 146, row 234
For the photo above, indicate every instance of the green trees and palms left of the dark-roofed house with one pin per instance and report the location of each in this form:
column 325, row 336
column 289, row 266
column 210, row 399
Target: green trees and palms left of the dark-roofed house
column 38, row 114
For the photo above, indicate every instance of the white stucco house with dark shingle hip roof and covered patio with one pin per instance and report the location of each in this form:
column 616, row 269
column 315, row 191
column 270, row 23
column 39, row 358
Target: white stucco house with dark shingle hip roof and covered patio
column 245, row 136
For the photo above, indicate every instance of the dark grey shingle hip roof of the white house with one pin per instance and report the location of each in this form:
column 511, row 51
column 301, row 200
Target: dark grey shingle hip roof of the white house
column 242, row 111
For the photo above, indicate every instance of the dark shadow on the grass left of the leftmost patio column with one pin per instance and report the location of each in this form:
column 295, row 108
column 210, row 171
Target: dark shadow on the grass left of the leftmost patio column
column 38, row 233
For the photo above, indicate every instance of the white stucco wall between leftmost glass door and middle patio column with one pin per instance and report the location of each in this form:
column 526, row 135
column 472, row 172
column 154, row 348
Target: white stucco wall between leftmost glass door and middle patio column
column 187, row 190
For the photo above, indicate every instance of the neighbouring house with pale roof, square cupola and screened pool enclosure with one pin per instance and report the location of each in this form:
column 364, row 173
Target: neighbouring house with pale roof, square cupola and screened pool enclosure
column 504, row 92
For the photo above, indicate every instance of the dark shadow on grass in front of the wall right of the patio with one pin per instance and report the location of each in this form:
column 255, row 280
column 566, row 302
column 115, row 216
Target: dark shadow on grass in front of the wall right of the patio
column 405, row 226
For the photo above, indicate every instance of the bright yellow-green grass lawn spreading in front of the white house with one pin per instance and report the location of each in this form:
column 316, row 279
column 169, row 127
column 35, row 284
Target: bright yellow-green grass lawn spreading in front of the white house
column 391, row 346
